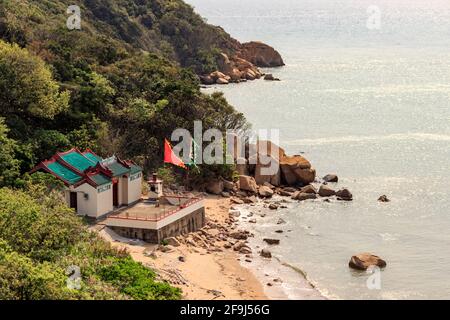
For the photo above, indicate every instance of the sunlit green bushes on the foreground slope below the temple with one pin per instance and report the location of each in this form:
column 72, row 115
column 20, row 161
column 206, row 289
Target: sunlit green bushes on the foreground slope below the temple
column 40, row 238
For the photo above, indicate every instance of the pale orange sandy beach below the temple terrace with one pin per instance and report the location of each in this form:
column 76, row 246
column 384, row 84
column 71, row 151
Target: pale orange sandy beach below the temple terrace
column 201, row 273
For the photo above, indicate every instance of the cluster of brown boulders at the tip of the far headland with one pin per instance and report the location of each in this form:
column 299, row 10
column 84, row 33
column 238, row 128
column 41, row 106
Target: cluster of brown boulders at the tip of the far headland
column 243, row 65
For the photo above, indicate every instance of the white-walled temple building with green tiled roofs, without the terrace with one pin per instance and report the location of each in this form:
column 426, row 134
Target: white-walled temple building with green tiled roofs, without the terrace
column 95, row 186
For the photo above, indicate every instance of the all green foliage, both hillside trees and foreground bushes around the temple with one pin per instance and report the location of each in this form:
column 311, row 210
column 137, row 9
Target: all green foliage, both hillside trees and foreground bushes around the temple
column 119, row 85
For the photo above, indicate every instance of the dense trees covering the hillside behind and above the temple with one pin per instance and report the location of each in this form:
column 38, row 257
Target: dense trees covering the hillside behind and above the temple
column 115, row 86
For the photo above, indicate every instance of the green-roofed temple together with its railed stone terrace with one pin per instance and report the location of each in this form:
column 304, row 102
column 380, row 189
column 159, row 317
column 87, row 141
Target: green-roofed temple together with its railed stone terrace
column 110, row 190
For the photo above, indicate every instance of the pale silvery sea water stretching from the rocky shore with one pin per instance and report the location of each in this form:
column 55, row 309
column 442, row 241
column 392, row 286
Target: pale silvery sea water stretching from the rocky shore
column 373, row 106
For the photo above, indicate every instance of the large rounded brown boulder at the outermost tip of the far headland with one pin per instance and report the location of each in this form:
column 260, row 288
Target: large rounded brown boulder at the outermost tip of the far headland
column 261, row 55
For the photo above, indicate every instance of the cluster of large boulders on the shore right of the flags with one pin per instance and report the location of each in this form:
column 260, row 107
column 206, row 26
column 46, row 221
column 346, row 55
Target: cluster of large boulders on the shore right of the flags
column 292, row 177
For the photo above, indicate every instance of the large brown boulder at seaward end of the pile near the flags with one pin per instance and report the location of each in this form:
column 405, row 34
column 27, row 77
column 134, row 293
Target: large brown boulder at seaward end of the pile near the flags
column 297, row 170
